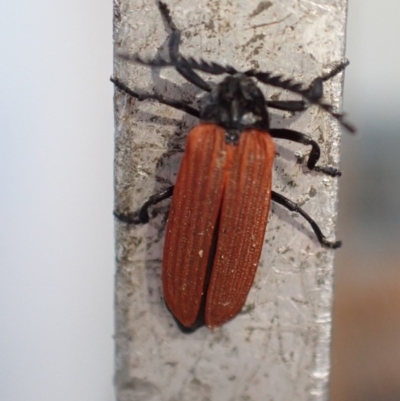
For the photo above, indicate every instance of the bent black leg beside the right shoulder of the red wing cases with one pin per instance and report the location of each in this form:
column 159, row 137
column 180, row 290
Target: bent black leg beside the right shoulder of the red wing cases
column 315, row 150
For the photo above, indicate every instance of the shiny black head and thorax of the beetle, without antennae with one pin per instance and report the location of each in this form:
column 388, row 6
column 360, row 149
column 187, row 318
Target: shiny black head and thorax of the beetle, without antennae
column 236, row 104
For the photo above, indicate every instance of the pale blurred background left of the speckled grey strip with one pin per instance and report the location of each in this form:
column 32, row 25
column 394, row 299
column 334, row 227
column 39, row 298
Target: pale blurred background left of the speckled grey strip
column 56, row 230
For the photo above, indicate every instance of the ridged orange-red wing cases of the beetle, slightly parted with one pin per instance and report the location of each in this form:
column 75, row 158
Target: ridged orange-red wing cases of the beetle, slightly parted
column 221, row 200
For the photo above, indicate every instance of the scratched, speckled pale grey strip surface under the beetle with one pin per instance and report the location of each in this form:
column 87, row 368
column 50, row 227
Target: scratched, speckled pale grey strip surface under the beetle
column 278, row 347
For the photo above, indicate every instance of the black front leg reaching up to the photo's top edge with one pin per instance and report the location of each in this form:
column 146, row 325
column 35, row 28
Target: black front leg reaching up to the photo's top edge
column 173, row 48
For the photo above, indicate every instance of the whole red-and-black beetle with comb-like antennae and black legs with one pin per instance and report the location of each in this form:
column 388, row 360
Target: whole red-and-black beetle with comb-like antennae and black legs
column 221, row 198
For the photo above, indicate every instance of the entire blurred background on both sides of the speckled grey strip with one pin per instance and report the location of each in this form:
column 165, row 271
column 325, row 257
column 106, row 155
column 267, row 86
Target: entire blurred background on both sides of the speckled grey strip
column 56, row 231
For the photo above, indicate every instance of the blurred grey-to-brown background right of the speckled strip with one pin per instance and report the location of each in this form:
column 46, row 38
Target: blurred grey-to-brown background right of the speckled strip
column 366, row 325
